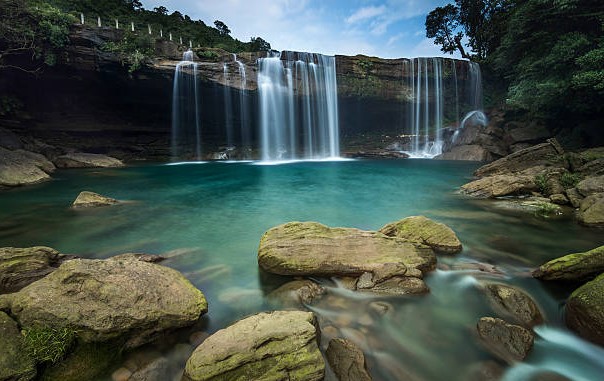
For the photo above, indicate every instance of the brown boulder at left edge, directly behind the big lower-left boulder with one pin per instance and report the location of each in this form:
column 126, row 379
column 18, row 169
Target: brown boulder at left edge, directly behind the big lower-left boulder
column 22, row 266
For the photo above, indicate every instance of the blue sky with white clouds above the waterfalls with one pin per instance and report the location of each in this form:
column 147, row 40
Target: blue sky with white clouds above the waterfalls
column 383, row 28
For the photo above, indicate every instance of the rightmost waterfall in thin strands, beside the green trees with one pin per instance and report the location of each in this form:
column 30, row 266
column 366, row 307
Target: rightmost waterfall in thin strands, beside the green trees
column 436, row 99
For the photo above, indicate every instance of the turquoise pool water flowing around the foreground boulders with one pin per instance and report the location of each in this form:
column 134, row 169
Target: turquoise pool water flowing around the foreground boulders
column 208, row 218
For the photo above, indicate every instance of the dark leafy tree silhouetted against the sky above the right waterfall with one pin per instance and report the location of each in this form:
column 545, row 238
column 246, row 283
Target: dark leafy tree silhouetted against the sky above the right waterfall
column 443, row 25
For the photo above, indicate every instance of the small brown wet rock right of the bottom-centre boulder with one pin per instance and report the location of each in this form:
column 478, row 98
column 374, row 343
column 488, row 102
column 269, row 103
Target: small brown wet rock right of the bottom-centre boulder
column 347, row 361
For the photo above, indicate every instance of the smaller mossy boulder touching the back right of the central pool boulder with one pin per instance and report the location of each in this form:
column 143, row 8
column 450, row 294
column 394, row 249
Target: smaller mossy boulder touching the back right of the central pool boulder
column 420, row 229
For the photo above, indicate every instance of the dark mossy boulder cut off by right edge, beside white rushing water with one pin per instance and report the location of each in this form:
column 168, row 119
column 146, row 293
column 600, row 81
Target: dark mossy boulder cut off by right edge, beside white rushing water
column 585, row 311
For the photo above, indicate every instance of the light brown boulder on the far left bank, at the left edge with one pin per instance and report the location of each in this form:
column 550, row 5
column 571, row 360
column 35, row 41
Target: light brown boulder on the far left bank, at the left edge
column 21, row 167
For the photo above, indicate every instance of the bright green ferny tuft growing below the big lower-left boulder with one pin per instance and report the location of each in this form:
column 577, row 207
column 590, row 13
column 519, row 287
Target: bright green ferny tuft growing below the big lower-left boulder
column 48, row 344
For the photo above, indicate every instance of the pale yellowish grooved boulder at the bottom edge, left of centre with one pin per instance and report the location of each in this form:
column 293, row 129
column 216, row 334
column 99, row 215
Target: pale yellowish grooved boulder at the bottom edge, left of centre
column 280, row 345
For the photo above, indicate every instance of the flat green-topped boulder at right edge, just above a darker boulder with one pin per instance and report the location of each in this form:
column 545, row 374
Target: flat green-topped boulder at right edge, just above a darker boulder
column 573, row 267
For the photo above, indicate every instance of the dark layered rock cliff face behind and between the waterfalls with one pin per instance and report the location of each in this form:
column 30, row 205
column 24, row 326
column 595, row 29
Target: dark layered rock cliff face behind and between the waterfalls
column 89, row 101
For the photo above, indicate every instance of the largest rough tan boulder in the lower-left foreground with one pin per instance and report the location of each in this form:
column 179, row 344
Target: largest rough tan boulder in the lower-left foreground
column 123, row 299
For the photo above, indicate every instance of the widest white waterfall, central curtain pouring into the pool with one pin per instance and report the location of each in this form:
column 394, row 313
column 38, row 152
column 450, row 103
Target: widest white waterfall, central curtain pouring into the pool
column 298, row 107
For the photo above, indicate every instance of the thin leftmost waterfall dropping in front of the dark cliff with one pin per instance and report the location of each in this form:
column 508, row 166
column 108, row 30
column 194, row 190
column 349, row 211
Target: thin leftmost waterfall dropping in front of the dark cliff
column 186, row 122
